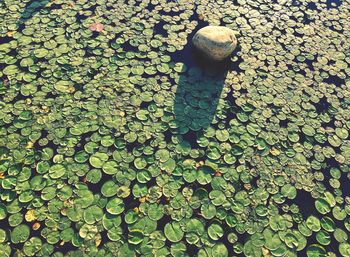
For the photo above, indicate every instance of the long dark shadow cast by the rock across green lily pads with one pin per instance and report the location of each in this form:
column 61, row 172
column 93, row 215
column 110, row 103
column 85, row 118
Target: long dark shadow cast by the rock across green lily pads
column 198, row 92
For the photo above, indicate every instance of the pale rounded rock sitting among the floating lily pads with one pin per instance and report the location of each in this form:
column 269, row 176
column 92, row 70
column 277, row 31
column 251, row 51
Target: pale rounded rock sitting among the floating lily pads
column 216, row 42
